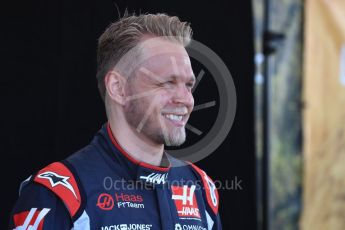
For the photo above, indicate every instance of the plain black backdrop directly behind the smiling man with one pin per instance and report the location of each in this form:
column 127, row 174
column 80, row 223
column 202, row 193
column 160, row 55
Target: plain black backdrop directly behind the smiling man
column 49, row 98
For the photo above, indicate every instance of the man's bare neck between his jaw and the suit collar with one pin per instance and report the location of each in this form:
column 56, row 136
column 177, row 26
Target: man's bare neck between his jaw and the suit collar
column 135, row 145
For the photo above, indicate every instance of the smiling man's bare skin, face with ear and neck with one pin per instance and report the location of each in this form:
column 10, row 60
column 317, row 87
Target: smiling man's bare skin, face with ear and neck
column 150, row 106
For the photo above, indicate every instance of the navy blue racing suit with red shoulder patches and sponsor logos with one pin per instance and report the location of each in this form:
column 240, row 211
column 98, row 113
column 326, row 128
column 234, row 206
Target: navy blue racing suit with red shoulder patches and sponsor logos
column 103, row 187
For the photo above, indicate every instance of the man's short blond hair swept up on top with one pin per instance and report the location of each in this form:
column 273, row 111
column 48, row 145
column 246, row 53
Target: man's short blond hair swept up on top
column 123, row 35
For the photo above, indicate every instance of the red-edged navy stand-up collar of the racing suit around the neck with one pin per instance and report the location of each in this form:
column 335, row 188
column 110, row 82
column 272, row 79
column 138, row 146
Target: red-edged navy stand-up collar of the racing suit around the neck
column 144, row 172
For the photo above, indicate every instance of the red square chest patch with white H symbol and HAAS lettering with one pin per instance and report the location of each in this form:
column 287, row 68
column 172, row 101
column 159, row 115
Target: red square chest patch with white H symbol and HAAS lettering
column 185, row 201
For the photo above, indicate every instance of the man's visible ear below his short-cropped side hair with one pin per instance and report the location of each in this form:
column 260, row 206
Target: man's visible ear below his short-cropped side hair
column 115, row 85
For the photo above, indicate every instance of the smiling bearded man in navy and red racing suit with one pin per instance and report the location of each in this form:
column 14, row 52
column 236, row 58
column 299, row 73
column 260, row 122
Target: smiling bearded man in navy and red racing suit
column 123, row 179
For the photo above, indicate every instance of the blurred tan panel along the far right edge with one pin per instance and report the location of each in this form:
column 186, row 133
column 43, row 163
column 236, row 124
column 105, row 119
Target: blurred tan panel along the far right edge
column 324, row 116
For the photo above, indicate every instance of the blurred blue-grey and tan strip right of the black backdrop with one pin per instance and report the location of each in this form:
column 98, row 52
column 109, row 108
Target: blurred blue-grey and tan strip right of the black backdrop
column 300, row 102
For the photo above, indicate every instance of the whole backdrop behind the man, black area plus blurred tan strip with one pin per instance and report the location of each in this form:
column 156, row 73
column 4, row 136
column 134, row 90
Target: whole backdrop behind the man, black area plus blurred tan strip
column 287, row 61
